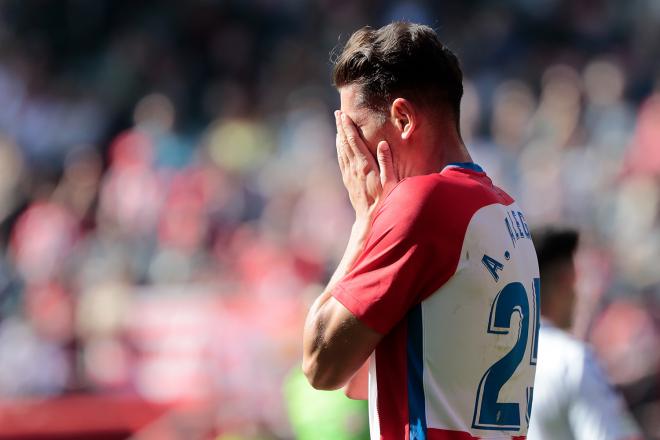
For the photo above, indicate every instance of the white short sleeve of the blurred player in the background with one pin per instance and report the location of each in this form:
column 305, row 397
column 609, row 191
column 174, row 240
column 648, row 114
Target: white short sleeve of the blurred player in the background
column 598, row 411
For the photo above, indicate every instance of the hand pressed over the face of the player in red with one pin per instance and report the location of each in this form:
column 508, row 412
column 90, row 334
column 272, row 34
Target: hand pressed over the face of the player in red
column 366, row 178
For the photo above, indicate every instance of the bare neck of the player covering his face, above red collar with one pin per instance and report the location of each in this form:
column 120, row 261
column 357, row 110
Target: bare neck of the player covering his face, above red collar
column 432, row 153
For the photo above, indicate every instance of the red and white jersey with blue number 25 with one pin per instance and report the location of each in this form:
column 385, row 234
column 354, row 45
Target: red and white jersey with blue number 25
column 449, row 276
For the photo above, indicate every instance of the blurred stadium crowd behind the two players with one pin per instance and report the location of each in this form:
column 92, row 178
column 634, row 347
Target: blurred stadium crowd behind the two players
column 170, row 201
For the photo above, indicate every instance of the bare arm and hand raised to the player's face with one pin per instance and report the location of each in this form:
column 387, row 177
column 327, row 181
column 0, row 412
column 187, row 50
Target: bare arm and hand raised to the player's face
column 335, row 343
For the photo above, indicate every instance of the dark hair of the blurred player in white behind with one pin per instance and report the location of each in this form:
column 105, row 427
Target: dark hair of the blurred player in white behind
column 554, row 246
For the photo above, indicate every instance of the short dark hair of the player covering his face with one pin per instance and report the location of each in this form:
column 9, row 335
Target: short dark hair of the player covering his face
column 401, row 59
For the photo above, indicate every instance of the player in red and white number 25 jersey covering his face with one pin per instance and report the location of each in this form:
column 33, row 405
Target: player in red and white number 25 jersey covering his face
column 438, row 287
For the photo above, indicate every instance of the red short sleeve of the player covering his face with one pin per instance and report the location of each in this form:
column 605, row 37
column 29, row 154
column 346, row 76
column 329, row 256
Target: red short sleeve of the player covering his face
column 400, row 263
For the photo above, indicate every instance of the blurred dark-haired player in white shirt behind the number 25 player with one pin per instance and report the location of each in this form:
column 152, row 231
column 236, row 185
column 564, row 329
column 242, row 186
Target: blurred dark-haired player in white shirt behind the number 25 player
column 573, row 399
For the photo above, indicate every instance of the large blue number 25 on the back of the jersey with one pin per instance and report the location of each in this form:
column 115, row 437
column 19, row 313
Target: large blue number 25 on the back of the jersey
column 488, row 412
